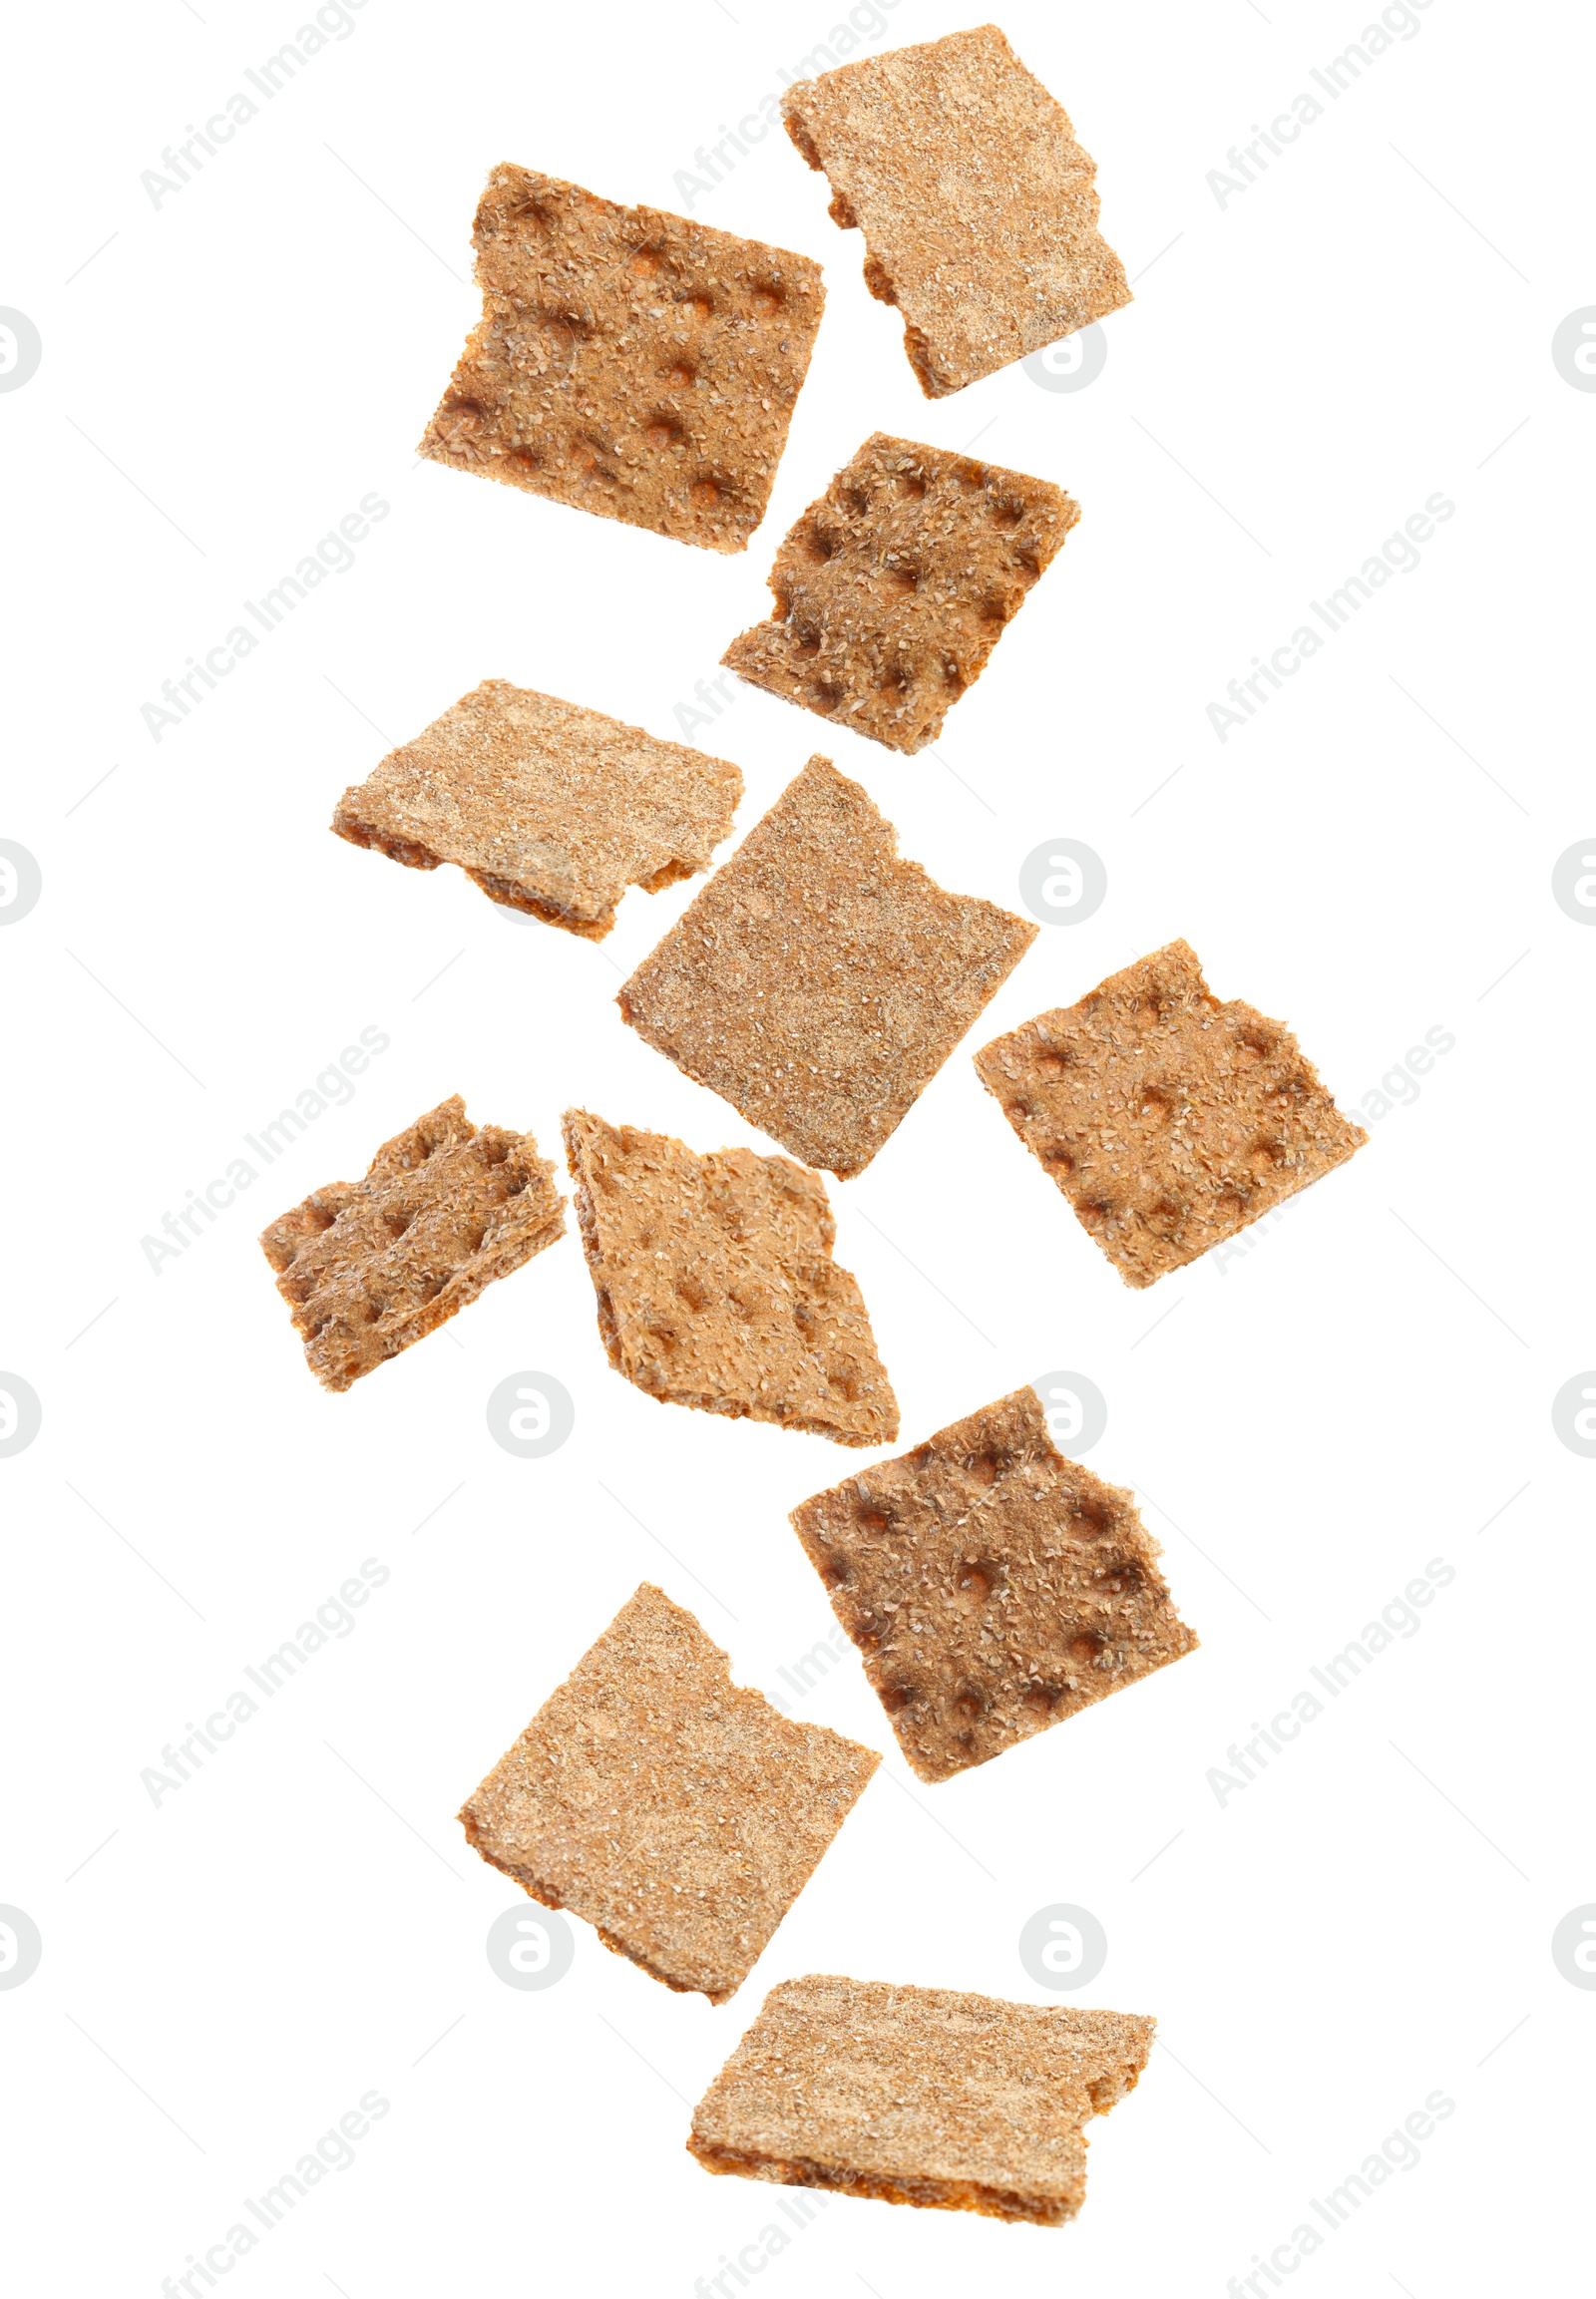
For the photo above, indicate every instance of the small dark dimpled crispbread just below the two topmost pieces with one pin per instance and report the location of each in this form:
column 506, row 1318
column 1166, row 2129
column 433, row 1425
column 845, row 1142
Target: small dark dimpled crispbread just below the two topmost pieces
column 893, row 587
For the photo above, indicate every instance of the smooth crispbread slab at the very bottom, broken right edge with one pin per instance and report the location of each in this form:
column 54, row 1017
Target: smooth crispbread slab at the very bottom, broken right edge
column 921, row 2096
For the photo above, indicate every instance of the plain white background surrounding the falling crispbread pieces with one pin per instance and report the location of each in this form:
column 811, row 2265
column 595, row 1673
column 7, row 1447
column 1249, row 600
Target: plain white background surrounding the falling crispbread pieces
column 1367, row 1390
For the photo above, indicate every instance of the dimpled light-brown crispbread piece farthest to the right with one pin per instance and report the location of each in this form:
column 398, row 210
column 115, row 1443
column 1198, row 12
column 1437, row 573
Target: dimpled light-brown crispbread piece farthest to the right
column 1167, row 1118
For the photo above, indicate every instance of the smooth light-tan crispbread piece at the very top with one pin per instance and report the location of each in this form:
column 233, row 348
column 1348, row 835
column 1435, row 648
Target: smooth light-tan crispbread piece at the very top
column 976, row 201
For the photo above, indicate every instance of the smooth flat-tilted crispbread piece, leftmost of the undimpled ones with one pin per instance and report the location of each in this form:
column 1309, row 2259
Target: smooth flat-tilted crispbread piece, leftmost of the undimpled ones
column 551, row 808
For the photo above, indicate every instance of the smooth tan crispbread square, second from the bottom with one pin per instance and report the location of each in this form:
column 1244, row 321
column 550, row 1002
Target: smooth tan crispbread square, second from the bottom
column 670, row 1808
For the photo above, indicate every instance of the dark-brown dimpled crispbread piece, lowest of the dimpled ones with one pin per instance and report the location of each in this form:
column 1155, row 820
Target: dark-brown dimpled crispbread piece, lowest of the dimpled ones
column 992, row 1585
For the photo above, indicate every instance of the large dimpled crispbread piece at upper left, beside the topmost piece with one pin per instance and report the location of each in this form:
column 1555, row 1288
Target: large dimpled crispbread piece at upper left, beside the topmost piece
column 629, row 362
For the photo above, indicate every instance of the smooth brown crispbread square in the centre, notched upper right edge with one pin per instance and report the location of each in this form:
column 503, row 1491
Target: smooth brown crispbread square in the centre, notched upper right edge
column 820, row 983
